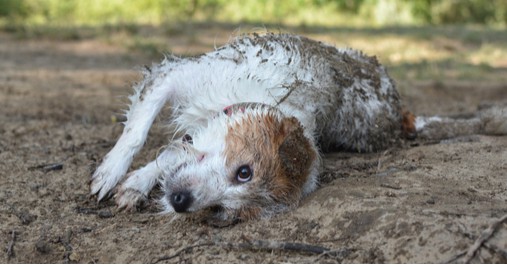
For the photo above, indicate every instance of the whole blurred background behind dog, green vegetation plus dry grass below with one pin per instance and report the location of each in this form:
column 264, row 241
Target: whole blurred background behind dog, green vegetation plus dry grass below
column 411, row 49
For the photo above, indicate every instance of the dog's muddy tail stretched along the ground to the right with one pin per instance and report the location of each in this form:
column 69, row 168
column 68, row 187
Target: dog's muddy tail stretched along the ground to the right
column 487, row 120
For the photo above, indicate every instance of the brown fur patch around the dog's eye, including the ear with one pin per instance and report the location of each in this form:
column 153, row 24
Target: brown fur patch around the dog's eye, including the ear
column 280, row 156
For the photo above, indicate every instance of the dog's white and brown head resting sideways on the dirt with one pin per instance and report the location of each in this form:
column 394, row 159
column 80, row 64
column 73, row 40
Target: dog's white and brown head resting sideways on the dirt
column 250, row 161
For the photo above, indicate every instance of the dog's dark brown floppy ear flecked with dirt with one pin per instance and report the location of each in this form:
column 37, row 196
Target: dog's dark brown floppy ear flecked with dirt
column 295, row 152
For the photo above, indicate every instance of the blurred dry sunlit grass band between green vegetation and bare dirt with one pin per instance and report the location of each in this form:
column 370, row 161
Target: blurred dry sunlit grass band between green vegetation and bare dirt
column 411, row 53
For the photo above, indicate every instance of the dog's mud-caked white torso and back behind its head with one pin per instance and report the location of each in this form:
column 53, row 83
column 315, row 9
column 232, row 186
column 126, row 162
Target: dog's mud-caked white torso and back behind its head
column 343, row 98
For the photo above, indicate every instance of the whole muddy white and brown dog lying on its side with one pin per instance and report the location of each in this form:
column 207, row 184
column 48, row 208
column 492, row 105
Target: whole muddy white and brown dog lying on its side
column 250, row 121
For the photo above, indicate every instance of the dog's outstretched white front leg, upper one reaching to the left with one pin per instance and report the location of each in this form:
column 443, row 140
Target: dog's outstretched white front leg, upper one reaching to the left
column 147, row 102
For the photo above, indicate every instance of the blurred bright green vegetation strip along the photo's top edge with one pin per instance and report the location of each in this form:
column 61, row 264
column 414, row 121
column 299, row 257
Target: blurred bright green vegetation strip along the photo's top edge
column 288, row 12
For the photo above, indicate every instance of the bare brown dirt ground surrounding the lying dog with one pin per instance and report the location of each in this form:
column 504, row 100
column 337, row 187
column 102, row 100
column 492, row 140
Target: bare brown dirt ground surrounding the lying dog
column 418, row 203
